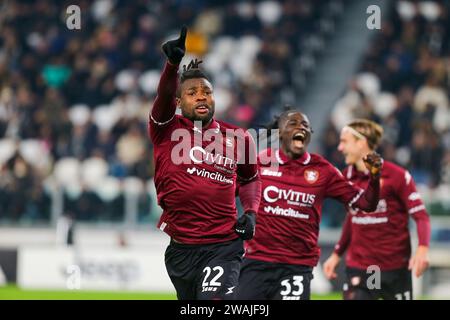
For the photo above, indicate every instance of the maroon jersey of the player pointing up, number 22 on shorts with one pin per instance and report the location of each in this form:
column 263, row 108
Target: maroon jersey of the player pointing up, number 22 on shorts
column 195, row 184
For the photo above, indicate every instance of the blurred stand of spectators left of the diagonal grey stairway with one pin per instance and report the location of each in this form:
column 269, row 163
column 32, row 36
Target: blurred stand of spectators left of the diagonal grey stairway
column 74, row 103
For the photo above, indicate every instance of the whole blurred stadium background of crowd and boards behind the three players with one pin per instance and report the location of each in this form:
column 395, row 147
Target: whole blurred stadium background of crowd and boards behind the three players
column 77, row 201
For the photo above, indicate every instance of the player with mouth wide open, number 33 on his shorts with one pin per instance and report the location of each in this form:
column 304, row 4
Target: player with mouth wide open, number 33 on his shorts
column 280, row 258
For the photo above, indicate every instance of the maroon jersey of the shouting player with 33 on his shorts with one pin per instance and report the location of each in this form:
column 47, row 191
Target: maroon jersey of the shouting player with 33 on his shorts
column 287, row 223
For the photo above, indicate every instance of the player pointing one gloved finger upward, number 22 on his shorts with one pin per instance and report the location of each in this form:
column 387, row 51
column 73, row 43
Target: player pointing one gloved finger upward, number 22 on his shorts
column 205, row 253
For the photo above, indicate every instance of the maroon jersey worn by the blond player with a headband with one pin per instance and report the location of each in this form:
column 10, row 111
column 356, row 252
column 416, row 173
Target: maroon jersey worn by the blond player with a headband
column 382, row 237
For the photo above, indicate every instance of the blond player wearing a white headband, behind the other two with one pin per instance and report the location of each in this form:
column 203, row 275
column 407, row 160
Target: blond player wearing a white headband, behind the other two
column 379, row 239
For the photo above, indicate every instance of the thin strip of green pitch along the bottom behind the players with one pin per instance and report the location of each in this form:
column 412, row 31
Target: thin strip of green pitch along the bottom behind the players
column 12, row 292
